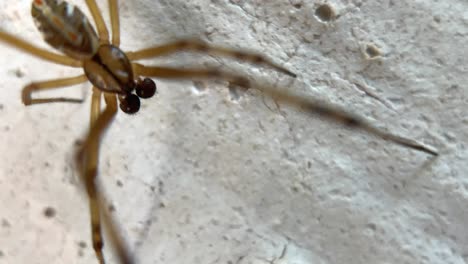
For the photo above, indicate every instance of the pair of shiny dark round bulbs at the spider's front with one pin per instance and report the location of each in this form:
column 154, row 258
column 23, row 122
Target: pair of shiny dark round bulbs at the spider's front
column 130, row 102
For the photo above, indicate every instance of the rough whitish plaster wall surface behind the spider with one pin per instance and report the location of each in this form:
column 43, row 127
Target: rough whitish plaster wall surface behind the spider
column 205, row 175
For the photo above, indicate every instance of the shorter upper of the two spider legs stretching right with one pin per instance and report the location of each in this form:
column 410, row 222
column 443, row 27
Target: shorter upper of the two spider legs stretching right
column 199, row 46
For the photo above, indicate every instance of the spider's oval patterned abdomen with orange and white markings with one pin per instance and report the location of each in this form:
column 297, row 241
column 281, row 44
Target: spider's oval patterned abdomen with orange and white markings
column 65, row 28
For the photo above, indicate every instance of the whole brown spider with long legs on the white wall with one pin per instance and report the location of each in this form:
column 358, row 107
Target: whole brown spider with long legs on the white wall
column 117, row 78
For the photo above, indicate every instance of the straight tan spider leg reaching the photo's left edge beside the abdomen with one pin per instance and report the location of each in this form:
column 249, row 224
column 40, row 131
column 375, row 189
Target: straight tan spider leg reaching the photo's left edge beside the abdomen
column 38, row 52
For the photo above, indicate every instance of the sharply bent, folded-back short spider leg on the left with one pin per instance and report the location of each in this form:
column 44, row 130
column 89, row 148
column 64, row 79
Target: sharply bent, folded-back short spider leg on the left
column 49, row 85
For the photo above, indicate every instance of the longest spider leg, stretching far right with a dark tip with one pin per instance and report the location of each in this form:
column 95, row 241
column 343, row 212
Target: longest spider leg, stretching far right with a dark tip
column 300, row 101
